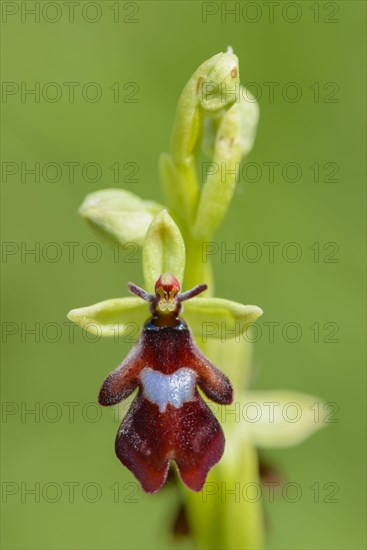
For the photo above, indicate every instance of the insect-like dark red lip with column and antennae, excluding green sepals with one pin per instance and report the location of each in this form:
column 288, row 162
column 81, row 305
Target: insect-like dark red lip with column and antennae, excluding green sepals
column 168, row 420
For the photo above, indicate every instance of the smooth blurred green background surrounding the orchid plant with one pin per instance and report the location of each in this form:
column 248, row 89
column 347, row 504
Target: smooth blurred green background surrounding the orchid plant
column 159, row 52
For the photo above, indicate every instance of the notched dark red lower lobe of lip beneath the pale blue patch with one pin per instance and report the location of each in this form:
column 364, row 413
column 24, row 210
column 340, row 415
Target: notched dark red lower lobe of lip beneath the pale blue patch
column 190, row 435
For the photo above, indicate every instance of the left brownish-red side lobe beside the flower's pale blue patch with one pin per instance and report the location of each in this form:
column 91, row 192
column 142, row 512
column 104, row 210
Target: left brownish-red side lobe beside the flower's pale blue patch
column 123, row 380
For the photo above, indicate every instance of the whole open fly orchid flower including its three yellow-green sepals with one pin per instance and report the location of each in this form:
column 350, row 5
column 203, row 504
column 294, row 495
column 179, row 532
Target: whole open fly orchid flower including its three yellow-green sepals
column 168, row 419
